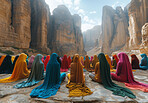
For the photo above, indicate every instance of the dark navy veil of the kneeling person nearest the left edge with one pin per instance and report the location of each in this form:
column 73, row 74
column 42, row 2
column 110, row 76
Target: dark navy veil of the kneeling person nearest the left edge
column 6, row 66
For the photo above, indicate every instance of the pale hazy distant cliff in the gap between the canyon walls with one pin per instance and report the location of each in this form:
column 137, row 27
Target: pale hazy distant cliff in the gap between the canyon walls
column 91, row 37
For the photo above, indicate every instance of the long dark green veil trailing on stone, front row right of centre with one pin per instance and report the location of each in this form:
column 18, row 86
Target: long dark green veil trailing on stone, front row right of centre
column 107, row 82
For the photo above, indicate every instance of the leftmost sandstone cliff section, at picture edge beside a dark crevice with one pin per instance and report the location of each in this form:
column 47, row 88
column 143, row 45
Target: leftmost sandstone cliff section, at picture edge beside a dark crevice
column 7, row 35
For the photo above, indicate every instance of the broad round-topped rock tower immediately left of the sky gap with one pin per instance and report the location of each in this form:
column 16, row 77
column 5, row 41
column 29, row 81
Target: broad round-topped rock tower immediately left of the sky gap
column 65, row 35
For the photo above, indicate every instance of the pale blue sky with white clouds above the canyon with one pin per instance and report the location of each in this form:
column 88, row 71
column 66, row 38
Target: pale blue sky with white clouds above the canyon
column 89, row 10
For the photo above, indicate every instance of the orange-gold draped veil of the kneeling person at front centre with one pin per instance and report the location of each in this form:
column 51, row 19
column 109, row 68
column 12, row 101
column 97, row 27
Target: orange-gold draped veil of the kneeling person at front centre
column 76, row 86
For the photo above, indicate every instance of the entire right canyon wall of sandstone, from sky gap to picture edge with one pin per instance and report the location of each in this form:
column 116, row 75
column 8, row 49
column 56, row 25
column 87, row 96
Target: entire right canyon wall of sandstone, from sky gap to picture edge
column 124, row 29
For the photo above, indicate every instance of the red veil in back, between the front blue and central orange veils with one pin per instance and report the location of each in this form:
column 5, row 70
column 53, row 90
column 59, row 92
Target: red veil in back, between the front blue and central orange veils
column 64, row 66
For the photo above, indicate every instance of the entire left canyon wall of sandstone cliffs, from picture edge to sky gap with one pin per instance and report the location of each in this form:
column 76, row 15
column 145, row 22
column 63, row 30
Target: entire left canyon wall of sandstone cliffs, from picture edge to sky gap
column 28, row 24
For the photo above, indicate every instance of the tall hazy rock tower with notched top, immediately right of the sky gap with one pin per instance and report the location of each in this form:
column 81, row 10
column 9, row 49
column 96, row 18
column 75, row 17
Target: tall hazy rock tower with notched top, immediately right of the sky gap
column 114, row 29
